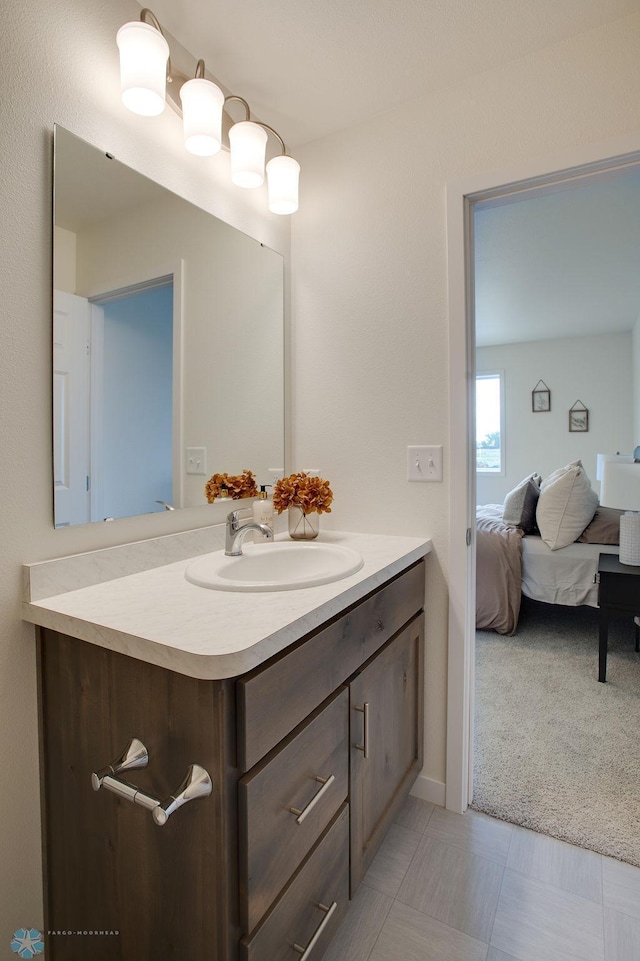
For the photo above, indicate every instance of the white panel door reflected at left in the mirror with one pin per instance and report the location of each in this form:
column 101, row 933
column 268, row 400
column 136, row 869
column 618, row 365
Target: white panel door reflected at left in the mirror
column 71, row 408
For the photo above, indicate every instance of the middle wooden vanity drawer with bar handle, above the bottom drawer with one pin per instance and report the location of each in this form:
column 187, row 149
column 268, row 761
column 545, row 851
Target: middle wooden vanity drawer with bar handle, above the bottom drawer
column 274, row 840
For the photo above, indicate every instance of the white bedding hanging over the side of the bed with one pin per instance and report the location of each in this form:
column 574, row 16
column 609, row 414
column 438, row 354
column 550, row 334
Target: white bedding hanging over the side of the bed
column 566, row 576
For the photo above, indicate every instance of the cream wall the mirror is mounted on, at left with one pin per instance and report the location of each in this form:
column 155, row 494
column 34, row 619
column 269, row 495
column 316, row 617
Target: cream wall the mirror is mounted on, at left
column 60, row 64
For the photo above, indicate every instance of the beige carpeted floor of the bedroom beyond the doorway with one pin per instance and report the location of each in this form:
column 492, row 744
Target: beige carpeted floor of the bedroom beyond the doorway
column 555, row 751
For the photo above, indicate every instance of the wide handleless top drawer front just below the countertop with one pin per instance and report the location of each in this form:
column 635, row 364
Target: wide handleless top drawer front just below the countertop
column 273, row 700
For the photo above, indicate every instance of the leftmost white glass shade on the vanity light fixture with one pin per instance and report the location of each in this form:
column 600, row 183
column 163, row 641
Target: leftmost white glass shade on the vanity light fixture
column 143, row 67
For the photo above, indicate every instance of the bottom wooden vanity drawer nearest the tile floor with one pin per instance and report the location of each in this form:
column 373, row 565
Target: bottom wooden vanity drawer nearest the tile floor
column 312, row 906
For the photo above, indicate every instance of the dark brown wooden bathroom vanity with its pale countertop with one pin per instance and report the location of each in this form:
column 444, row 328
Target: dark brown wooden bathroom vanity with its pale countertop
column 304, row 707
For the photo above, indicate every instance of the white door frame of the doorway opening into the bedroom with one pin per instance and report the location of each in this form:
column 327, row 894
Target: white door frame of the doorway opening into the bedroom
column 544, row 173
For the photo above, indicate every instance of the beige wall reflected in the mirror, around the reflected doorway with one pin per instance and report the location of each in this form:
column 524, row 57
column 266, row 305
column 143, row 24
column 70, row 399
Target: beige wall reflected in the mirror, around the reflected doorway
column 232, row 349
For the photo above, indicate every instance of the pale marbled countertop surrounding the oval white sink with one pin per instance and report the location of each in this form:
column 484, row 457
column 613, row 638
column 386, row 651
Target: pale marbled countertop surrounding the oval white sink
column 157, row 616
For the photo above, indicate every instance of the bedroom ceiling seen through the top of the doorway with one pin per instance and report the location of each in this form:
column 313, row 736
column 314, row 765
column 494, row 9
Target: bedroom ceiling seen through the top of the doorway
column 560, row 263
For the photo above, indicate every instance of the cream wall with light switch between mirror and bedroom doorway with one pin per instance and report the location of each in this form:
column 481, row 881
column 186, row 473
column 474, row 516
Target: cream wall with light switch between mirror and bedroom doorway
column 370, row 274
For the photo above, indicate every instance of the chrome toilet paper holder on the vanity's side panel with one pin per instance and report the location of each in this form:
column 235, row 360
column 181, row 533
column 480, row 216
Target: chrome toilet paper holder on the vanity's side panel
column 195, row 784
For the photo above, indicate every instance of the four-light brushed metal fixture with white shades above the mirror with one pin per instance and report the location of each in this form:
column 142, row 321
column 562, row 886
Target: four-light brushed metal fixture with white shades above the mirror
column 148, row 81
